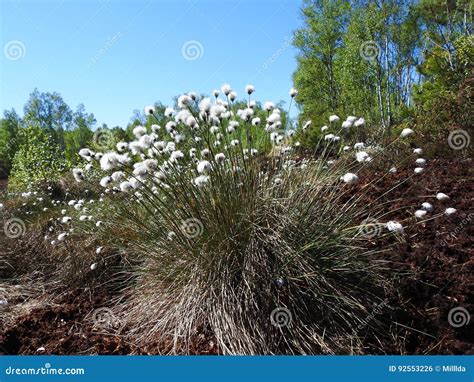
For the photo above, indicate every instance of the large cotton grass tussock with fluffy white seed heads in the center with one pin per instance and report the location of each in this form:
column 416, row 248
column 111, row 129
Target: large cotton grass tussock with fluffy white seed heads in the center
column 236, row 237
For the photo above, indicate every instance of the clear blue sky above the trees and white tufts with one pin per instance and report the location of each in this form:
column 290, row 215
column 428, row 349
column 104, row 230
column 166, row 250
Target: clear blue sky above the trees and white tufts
column 115, row 56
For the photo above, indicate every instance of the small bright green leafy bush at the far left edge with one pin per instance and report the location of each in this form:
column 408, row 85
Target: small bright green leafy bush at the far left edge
column 38, row 159
